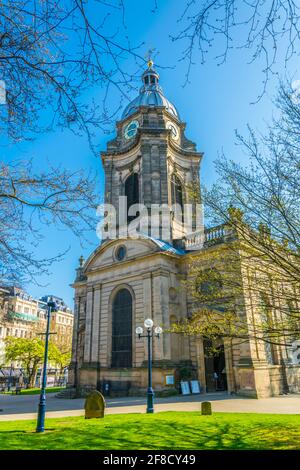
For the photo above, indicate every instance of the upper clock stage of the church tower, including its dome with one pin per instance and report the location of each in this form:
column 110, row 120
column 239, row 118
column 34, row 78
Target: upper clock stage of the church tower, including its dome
column 152, row 163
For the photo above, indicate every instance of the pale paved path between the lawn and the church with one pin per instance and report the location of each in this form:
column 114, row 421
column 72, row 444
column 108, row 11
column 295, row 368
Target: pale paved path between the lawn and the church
column 24, row 407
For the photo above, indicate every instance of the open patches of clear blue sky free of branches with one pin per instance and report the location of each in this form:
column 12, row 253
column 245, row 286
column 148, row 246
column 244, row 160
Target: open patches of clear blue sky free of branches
column 215, row 103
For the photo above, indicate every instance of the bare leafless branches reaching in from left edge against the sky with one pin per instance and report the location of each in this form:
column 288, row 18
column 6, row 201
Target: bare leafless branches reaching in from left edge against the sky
column 51, row 54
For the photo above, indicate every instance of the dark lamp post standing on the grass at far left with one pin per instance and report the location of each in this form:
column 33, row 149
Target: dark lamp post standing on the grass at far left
column 51, row 307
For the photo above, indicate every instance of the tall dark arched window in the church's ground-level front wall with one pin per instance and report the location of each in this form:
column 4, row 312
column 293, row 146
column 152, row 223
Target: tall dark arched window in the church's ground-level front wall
column 122, row 330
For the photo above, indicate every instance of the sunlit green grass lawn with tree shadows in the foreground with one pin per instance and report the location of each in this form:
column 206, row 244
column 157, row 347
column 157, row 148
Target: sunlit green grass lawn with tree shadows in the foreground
column 165, row 430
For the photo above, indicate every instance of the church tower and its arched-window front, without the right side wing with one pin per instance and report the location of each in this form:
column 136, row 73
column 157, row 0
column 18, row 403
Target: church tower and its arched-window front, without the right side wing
column 126, row 280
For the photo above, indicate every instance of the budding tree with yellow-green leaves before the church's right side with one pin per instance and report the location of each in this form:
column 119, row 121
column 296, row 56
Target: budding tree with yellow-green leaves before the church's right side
column 257, row 269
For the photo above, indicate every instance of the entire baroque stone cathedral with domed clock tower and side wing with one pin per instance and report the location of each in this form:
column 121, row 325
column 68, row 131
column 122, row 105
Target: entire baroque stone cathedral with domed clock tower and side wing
column 127, row 280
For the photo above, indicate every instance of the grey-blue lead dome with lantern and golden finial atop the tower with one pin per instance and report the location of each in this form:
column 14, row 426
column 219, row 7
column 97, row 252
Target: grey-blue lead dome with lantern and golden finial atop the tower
column 151, row 94
